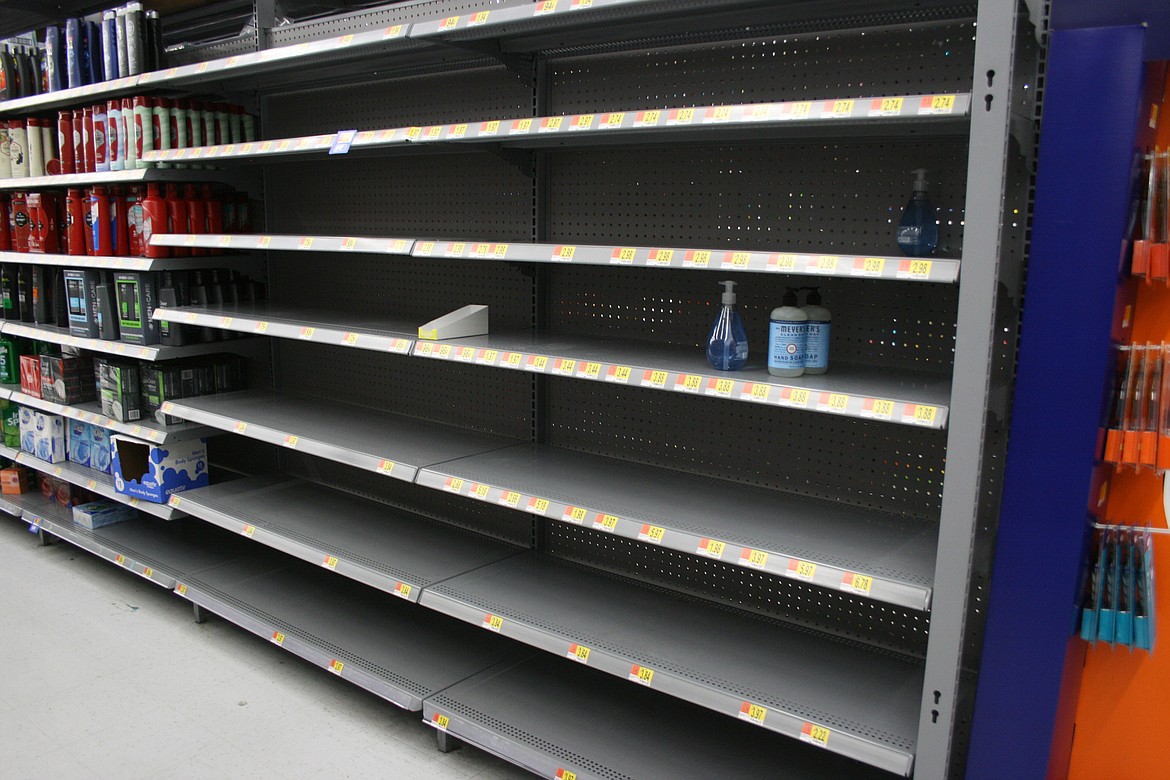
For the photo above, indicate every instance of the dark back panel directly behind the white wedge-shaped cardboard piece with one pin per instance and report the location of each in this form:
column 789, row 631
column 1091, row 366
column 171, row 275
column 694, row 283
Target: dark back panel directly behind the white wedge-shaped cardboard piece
column 398, row 288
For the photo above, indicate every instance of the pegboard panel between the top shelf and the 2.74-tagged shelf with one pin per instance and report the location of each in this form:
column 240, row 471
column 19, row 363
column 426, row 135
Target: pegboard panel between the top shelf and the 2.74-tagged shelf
column 927, row 59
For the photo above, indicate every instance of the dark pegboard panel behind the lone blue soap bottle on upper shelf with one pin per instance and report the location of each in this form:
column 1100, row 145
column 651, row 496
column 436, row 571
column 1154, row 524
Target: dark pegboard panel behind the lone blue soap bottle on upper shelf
column 802, row 197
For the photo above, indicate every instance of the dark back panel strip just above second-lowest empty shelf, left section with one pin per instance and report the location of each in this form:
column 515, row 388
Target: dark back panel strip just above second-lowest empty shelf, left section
column 477, row 516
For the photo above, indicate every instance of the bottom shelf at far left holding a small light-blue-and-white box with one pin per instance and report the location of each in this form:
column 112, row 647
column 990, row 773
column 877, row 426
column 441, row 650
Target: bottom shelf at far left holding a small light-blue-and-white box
column 161, row 554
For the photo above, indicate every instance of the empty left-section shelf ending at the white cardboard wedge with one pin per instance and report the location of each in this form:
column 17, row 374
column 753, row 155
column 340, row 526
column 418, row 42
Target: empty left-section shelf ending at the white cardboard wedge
column 306, row 326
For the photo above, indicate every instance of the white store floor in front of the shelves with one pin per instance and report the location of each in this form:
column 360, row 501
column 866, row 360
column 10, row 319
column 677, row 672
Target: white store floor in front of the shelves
column 106, row 675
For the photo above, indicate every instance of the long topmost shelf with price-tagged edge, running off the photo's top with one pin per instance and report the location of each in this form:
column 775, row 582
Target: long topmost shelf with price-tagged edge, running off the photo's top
column 518, row 30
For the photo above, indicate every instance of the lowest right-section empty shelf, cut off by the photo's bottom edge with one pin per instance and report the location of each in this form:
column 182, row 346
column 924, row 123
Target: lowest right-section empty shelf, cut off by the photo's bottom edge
column 567, row 721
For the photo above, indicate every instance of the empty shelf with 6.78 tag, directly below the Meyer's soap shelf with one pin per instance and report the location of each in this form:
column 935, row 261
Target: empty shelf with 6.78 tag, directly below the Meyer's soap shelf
column 830, row 544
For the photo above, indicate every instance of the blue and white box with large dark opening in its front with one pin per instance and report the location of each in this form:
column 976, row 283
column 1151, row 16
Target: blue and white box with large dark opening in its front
column 155, row 472
